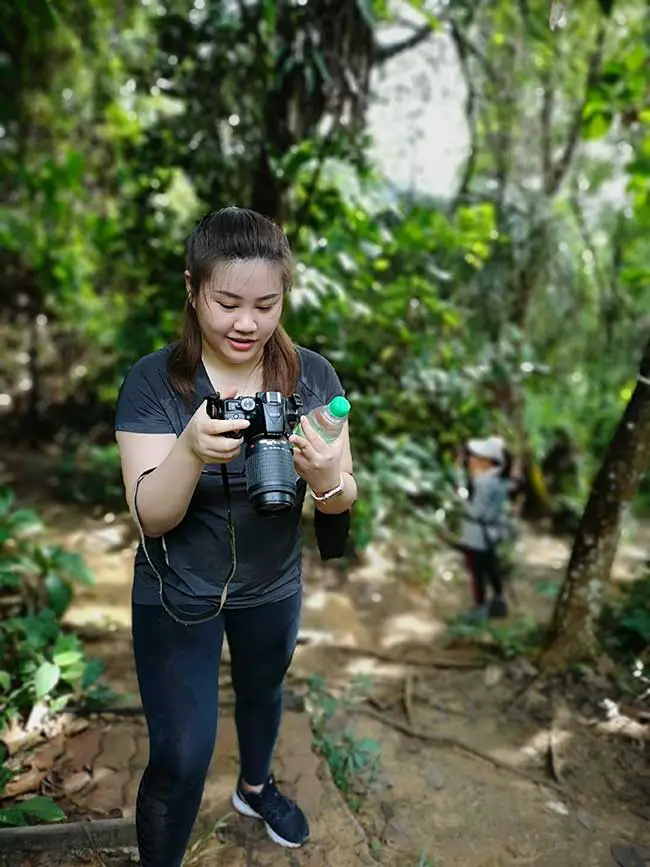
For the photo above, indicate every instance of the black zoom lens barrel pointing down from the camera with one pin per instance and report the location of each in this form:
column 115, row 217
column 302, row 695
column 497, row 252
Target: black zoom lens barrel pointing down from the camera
column 270, row 475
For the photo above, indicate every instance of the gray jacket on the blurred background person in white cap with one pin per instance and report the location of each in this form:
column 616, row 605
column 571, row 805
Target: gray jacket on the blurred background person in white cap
column 484, row 513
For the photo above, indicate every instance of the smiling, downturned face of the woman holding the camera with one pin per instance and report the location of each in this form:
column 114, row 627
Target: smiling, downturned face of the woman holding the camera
column 239, row 309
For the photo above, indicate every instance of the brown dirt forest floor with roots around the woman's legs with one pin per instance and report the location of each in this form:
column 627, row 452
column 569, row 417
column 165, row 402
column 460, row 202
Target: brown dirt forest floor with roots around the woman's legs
column 466, row 775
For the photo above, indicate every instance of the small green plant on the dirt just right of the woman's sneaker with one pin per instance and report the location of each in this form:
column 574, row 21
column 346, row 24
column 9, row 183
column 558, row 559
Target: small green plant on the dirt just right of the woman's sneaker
column 353, row 761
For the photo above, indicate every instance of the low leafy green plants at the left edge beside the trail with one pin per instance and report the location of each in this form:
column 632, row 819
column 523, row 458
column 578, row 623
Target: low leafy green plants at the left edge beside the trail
column 43, row 664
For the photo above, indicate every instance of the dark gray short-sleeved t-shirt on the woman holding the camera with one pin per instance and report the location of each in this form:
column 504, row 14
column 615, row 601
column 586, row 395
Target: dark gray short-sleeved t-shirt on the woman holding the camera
column 197, row 558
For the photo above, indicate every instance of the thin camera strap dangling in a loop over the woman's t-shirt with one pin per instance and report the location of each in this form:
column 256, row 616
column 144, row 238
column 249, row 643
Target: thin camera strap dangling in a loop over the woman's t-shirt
column 189, row 618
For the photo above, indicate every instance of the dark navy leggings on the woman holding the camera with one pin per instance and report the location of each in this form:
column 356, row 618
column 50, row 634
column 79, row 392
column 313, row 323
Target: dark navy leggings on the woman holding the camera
column 178, row 676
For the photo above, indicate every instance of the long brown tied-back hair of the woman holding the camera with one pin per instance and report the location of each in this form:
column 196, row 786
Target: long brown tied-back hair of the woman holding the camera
column 222, row 237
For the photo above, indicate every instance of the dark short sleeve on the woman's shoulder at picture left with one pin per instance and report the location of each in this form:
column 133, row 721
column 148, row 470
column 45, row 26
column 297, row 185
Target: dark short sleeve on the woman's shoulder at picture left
column 140, row 407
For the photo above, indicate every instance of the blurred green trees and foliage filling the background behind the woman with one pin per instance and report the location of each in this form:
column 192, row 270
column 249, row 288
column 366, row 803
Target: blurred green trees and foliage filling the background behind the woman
column 444, row 318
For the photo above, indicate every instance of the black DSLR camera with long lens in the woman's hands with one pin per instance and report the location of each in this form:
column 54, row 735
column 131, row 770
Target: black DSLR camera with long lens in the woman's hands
column 270, row 473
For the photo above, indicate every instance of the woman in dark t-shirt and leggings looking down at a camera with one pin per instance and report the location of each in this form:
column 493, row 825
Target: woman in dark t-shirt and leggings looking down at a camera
column 238, row 275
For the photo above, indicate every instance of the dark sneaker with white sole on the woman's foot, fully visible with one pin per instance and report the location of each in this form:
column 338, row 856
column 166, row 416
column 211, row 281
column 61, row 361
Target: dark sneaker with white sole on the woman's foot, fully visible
column 286, row 824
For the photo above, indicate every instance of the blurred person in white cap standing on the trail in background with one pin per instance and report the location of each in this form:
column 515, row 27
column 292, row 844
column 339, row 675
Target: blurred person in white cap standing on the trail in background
column 484, row 505
